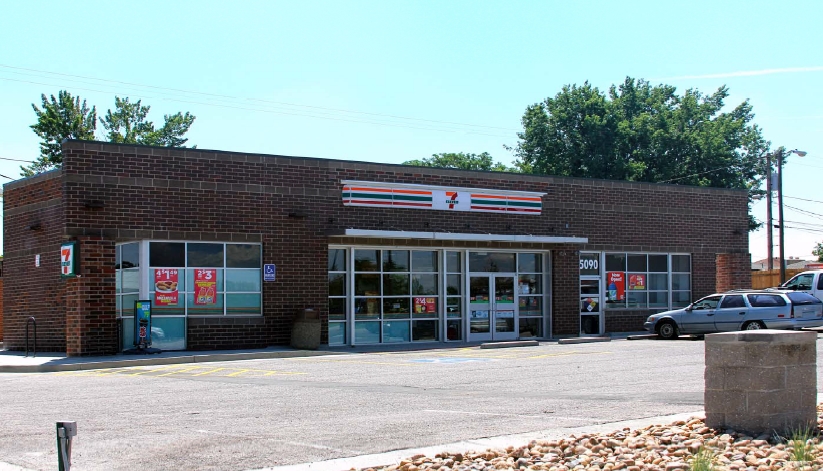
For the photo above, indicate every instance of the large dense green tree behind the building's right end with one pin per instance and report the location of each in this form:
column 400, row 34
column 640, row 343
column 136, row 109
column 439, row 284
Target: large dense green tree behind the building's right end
column 640, row 132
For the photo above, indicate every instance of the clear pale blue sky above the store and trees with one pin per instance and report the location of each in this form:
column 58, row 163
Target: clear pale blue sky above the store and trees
column 389, row 81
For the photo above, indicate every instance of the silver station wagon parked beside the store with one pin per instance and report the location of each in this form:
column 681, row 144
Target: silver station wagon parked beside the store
column 739, row 310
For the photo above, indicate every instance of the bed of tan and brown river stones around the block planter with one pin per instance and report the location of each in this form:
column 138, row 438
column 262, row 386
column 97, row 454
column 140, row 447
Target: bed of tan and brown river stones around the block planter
column 666, row 448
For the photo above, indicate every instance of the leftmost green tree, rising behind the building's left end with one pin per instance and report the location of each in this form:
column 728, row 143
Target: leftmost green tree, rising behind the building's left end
column 64, row 117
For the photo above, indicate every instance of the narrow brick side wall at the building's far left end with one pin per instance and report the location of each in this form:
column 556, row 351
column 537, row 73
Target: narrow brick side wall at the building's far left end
column 33, row 225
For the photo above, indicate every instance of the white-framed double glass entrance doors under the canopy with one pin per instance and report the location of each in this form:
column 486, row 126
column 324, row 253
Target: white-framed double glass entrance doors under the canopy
column 492, row 307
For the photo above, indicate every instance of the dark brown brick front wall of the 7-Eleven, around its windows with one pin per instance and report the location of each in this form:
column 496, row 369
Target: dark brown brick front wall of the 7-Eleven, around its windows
column 179, row 194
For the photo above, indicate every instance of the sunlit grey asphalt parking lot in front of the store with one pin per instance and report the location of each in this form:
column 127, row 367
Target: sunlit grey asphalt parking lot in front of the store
column 397, row 402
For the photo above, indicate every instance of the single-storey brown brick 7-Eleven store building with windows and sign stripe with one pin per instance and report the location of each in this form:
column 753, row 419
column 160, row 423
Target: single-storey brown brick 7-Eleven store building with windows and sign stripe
column 385, row 253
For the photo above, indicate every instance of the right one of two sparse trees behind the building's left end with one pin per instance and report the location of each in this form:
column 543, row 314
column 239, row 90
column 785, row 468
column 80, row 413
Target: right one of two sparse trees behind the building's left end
column 127, row 124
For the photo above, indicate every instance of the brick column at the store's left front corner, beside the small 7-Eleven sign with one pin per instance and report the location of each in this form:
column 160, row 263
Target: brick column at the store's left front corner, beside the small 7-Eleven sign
column 91, row 320
